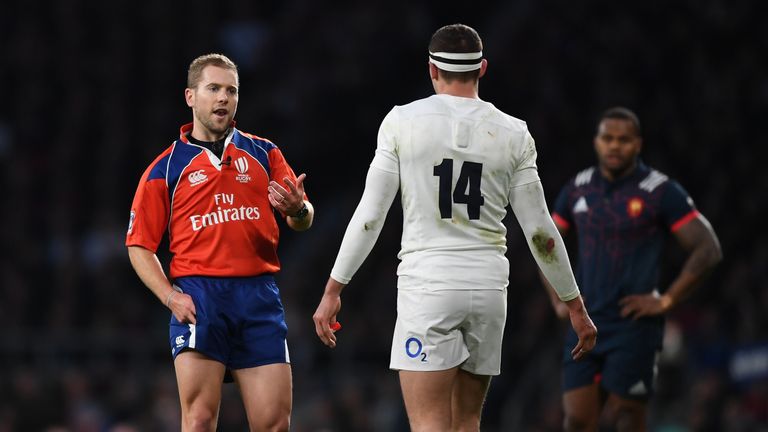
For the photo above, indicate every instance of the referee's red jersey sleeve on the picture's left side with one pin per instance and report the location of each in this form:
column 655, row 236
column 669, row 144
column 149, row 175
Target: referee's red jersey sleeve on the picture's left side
column 149, row 211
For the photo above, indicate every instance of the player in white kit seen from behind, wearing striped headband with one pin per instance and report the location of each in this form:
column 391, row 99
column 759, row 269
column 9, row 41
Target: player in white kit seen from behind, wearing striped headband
column 457, row 162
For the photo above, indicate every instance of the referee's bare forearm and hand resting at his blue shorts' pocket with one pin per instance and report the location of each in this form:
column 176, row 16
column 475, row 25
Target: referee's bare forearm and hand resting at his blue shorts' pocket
column 150, row 271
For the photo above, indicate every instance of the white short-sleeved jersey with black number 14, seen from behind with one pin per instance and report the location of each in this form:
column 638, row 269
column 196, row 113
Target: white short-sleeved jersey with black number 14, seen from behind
column 457, row 159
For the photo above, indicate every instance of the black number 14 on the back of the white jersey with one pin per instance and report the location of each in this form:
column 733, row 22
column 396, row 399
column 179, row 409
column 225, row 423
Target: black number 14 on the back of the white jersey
column 467, row 190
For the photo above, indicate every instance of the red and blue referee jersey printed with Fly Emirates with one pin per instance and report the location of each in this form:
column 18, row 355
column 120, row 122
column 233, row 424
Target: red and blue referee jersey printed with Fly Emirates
column 218, row 216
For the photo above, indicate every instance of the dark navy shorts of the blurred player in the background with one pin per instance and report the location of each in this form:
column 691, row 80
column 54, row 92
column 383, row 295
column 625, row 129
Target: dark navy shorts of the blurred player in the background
column 623, row 361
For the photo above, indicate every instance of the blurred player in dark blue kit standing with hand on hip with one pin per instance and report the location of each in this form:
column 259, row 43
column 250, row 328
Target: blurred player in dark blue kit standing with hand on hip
column 623, row 212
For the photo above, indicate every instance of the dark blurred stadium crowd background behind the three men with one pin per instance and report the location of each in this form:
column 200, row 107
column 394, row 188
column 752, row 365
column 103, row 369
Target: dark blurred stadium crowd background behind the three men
column 94, row 90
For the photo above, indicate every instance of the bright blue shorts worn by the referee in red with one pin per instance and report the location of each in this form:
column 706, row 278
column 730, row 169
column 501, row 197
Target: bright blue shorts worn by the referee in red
column 240, row 321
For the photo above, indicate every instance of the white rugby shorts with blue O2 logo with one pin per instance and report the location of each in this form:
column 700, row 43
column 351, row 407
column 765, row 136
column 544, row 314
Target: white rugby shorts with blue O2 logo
column 439, row 330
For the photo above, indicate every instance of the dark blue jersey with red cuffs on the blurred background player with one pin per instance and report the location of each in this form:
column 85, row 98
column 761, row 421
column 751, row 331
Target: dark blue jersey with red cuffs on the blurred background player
column 621, row 227
